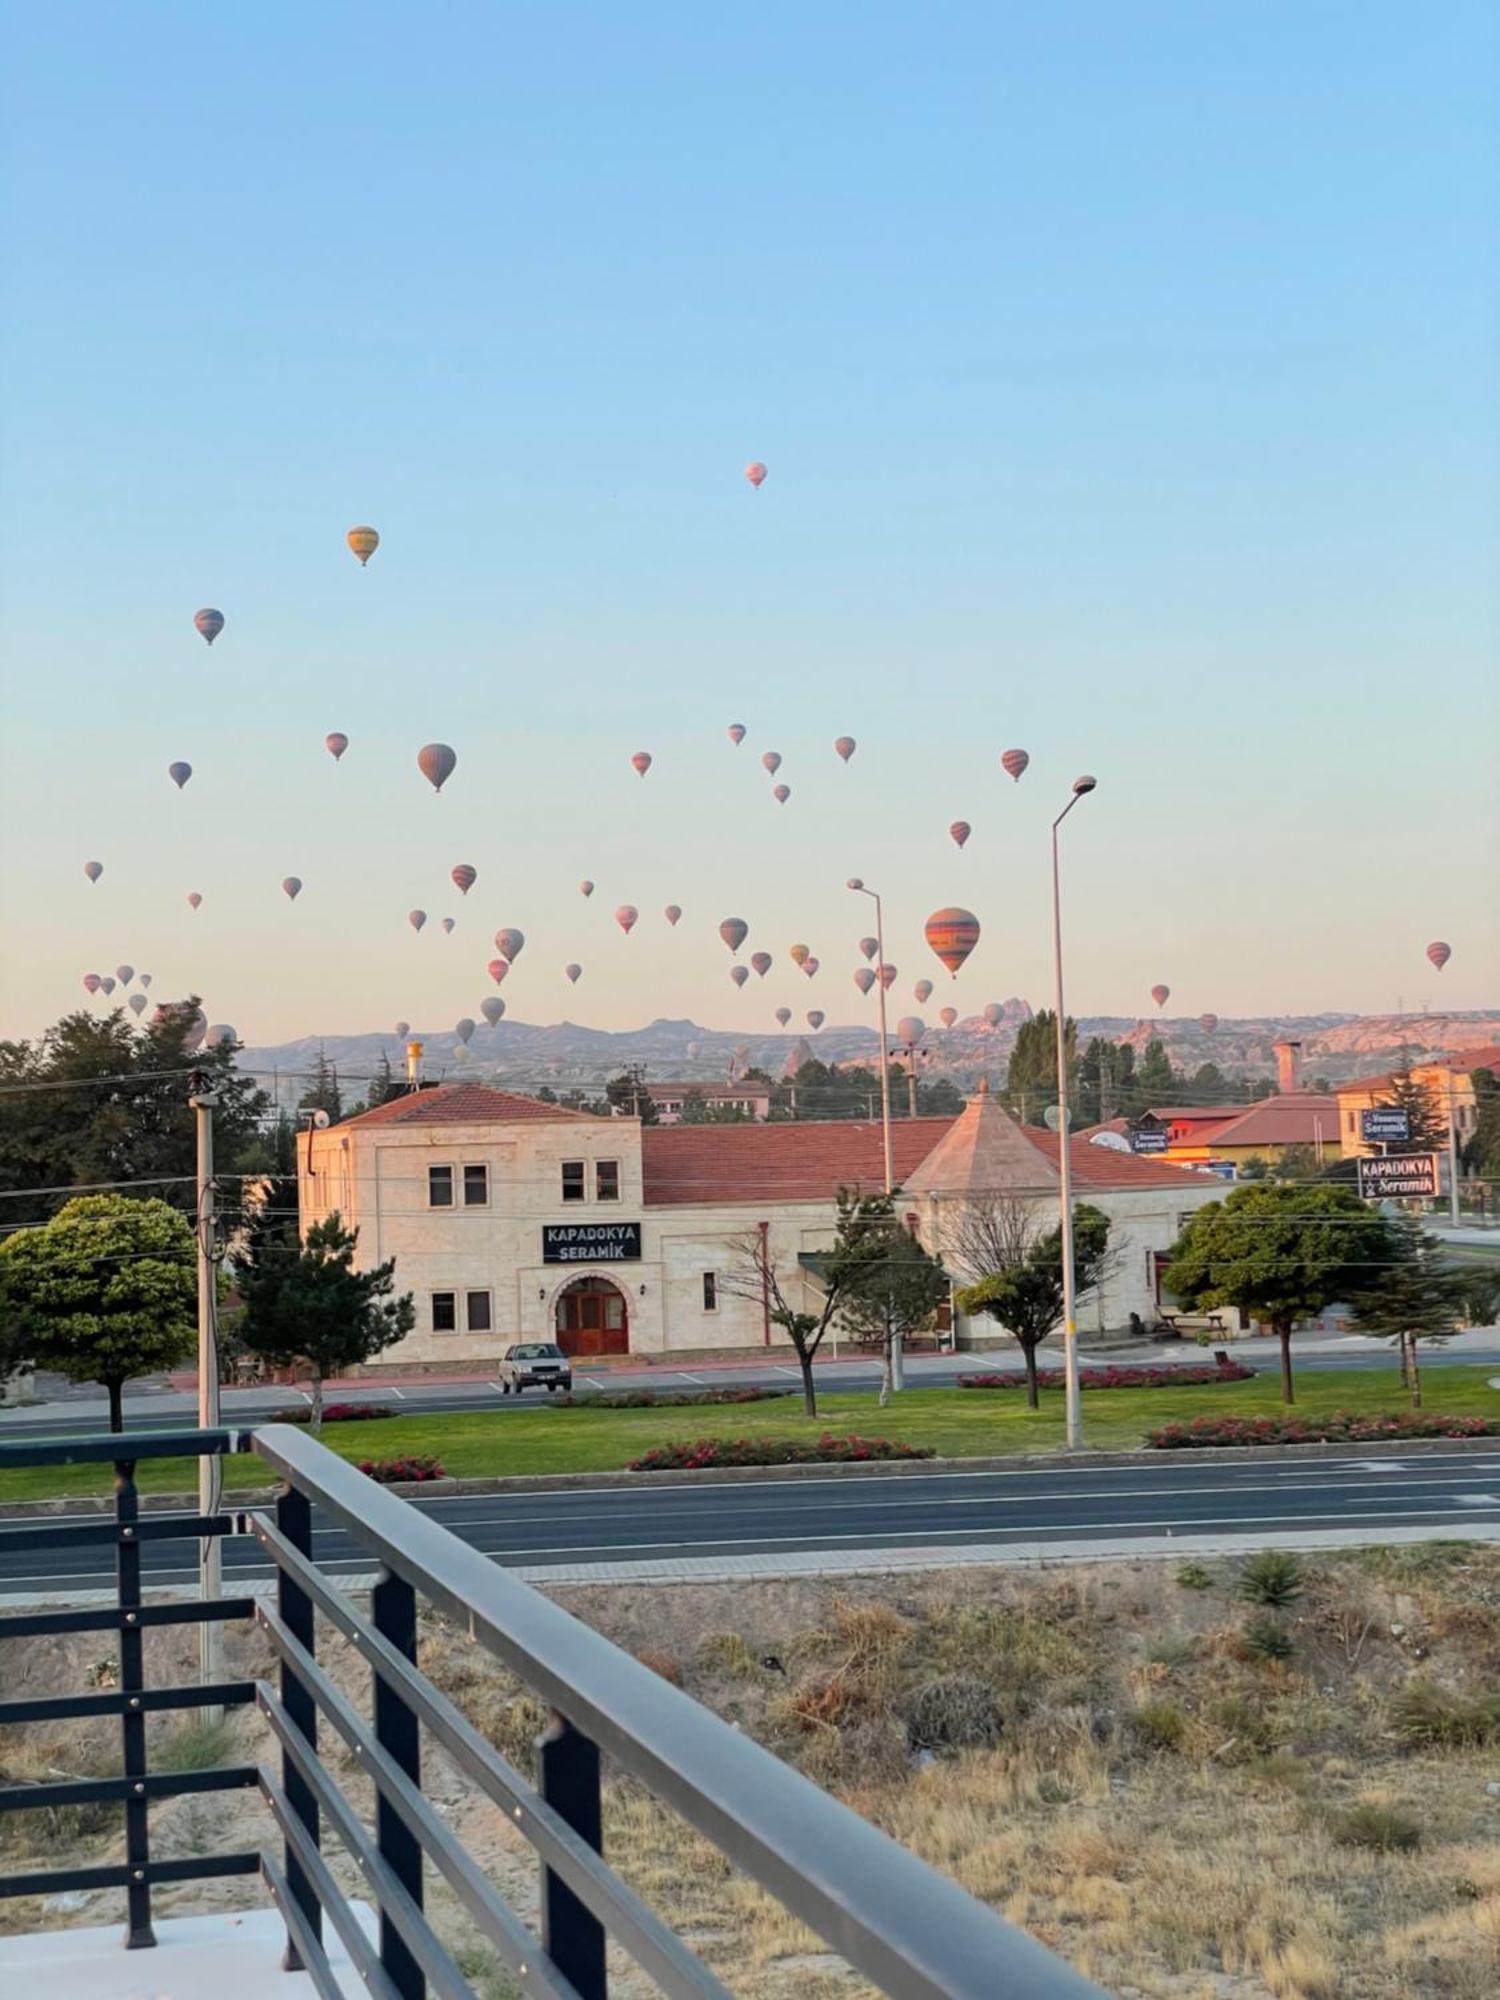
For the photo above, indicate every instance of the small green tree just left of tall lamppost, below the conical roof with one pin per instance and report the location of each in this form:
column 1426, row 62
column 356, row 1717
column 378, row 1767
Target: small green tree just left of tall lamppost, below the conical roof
column 1019, row 1269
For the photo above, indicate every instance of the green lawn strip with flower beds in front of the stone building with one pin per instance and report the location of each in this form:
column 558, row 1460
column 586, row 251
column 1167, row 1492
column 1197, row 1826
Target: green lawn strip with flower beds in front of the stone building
column 955, row 1423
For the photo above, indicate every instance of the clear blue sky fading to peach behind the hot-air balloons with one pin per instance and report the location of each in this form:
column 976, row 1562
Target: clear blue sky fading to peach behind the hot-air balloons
column 1127, row 379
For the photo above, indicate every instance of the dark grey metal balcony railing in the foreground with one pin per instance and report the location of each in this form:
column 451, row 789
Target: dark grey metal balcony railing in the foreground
column 911, row 1931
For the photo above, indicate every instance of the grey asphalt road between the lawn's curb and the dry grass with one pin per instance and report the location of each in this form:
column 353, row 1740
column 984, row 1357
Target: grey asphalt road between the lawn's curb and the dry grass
column 1065, row 1507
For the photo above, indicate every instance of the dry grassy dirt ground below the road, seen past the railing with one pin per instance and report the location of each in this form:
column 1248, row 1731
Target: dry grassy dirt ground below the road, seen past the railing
column 1191, row 1781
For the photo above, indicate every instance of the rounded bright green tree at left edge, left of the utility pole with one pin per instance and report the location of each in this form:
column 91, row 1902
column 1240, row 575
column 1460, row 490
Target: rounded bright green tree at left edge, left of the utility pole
column 105, row 1291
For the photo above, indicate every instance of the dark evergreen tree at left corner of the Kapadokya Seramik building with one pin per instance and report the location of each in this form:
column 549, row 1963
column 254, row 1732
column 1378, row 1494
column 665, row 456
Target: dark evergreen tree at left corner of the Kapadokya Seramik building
column 311, row 1305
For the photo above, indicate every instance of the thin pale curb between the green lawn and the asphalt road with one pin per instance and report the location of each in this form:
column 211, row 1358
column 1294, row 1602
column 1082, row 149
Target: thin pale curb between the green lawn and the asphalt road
column 529, row 1483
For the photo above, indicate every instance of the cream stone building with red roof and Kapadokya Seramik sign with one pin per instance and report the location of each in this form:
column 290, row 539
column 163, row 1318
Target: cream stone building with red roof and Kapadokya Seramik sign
column 511, row 1219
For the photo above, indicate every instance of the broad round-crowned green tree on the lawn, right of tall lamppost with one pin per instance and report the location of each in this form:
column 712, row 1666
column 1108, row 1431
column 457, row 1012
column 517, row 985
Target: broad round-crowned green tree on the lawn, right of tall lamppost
column 1281, row 1253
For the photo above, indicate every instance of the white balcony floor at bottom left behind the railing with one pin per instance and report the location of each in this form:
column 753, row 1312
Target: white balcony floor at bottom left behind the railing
column 195, row 1959
